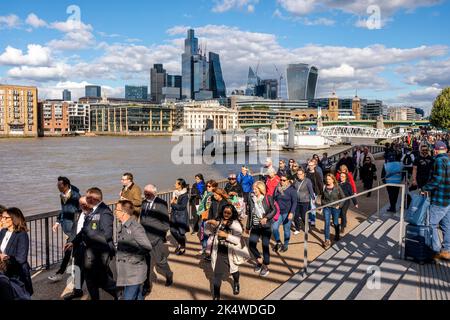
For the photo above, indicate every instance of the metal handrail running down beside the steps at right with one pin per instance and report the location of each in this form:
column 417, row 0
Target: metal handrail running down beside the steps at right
column 402, row 213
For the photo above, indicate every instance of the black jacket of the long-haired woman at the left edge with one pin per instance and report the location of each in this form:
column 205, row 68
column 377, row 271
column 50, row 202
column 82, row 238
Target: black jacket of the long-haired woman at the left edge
column 17, row 250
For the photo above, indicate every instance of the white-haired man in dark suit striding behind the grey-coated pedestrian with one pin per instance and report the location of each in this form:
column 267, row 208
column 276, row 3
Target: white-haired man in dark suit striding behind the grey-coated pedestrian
column 155, row 220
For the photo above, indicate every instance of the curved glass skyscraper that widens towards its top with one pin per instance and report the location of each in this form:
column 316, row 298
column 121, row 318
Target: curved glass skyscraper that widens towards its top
column 302, row 81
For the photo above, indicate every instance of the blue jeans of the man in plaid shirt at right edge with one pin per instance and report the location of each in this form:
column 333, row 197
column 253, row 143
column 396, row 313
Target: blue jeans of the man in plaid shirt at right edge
column 440, row 216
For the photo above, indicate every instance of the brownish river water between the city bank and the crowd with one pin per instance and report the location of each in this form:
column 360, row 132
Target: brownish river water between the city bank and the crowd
column 30, row 167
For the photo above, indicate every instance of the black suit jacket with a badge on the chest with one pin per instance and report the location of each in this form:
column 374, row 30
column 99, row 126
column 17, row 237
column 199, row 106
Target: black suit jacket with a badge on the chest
column 97, row 232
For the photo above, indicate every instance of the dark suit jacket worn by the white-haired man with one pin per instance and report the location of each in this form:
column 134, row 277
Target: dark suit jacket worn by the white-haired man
column 155, row 219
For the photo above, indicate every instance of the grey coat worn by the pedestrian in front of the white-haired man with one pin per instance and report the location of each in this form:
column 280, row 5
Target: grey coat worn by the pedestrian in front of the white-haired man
column 133, row 245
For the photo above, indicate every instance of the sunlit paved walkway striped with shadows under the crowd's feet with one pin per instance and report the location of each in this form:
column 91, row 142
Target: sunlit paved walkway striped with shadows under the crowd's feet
column 193, row 276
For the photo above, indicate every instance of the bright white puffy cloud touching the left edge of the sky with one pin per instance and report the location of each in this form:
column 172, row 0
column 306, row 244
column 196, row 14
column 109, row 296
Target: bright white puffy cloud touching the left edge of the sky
column 36, row 56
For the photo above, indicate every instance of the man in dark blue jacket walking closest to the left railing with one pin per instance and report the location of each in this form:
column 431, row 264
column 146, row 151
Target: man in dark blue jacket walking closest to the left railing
column 70, row 197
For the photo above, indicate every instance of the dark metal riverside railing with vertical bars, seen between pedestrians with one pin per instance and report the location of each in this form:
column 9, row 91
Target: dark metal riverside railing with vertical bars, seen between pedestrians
column 46, row 246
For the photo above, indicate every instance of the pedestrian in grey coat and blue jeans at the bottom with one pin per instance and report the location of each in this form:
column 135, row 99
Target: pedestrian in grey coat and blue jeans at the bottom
column 132, row 247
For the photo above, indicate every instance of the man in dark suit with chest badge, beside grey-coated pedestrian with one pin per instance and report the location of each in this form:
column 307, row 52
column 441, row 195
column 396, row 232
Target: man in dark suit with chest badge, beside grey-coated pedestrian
column 97, row 238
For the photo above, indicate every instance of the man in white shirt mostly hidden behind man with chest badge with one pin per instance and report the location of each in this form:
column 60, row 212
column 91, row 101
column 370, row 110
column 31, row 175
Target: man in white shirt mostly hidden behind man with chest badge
column 78, row 252
